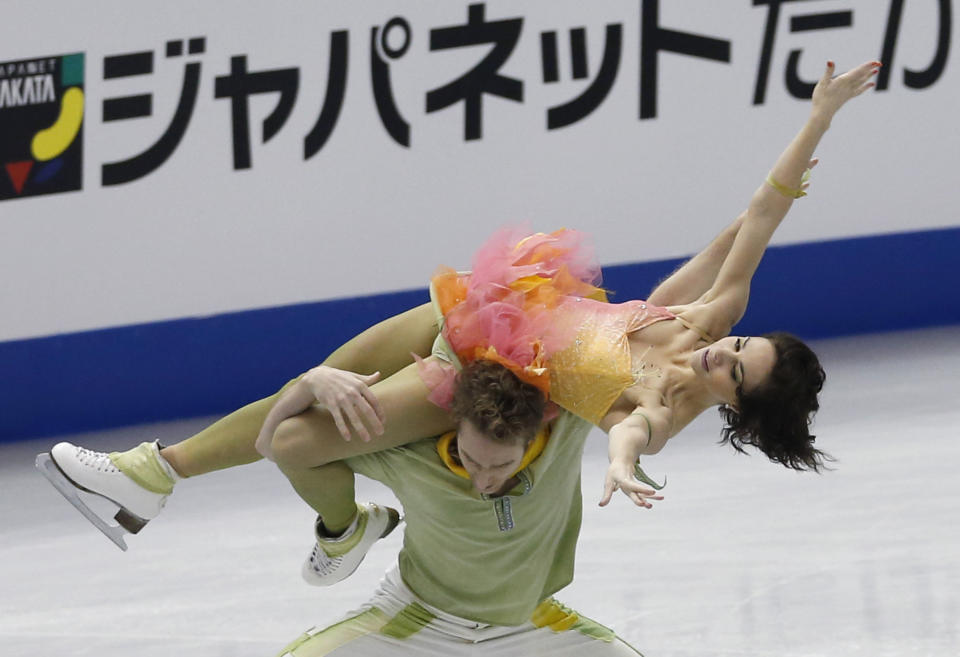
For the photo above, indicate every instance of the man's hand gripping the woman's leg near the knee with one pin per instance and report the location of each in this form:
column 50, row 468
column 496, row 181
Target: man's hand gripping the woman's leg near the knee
column 348, row 397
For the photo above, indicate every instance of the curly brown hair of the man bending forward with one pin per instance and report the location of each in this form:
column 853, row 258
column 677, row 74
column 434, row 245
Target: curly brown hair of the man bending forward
column 497, row 403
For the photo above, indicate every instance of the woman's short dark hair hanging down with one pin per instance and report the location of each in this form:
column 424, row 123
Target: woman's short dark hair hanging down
column 776, row 417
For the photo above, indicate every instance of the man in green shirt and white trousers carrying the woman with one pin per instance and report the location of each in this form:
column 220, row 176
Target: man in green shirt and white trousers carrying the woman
column 492, row 515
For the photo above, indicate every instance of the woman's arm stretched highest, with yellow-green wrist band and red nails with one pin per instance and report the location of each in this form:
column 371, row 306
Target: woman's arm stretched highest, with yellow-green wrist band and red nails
column 724, row 303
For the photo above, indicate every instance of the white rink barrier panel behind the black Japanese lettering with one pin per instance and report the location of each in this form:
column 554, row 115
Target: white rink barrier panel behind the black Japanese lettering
column 366, row 215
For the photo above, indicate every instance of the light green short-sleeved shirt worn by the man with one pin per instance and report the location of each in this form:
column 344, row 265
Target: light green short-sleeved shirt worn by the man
column 491, row 560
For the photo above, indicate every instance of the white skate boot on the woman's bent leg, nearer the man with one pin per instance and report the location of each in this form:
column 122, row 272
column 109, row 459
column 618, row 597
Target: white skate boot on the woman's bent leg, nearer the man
column 335, row 559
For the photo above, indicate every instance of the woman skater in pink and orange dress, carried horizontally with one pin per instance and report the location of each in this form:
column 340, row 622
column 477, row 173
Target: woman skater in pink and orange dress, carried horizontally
column 665, row 361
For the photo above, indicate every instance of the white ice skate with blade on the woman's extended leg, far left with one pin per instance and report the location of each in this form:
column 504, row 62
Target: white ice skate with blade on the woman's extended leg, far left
column 71, row 469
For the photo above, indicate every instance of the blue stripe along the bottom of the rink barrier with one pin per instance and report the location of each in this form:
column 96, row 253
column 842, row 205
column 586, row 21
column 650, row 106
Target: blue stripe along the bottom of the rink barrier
column 191, row 367
